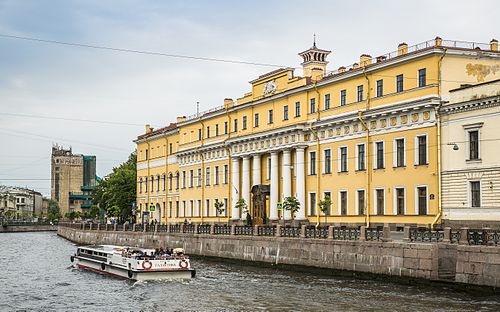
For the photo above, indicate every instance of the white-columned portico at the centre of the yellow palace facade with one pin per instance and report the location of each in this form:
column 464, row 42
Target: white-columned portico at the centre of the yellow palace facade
column 277, row 160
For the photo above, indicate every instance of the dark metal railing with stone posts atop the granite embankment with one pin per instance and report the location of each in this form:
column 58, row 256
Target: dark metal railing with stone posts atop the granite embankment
column 463, row 236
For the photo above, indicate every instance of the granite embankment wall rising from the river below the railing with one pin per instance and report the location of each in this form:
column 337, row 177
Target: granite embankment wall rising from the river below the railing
column 478, row 265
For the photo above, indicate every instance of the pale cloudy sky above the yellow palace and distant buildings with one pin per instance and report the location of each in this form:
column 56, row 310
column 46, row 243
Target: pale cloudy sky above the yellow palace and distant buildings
column 98, row 101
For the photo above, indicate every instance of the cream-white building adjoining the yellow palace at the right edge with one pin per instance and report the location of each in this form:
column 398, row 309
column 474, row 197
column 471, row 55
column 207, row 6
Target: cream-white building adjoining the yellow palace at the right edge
column 471, row 156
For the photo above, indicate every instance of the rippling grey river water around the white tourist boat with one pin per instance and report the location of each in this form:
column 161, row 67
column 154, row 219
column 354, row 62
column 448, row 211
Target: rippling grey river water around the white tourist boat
column 38, row 276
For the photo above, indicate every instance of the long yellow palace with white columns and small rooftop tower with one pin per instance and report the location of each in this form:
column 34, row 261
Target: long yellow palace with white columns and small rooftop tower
column 366, row 136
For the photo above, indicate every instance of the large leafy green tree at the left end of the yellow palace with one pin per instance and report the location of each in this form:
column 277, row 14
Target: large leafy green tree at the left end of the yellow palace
column 115, row 194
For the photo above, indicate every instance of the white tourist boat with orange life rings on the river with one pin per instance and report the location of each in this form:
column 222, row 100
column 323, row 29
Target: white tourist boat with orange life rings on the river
column 134, row 263
